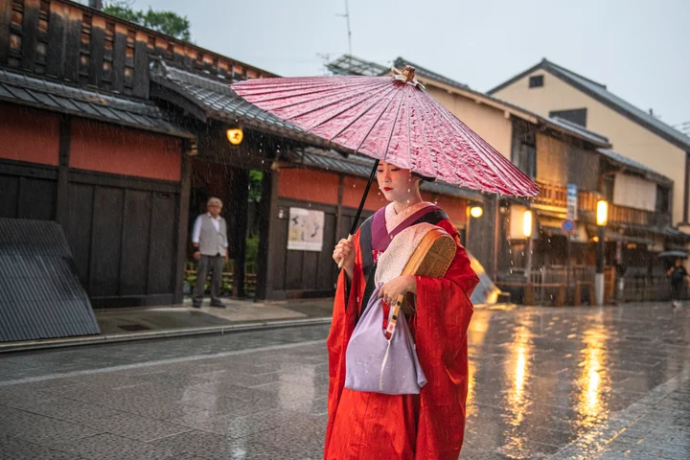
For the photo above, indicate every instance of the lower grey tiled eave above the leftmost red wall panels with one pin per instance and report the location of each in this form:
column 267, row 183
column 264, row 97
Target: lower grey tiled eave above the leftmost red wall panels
column 22, row 89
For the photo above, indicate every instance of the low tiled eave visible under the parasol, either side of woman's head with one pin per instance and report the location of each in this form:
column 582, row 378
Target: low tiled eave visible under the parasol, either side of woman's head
column 360, row 166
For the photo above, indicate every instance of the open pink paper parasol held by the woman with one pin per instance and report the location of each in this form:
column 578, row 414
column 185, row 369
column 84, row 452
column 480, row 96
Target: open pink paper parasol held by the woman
column 393, row 119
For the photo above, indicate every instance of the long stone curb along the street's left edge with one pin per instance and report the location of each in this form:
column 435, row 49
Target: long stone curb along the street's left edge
column 168, row 333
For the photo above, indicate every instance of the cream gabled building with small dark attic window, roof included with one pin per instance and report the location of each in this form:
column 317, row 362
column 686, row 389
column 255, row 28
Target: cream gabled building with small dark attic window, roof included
column 554, row 91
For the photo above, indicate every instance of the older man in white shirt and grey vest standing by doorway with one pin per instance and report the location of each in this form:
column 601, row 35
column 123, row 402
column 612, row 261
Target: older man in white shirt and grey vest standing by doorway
column 210, row 237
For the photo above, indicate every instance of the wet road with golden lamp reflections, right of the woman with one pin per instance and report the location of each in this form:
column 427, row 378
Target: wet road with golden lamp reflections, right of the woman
column 541, row 378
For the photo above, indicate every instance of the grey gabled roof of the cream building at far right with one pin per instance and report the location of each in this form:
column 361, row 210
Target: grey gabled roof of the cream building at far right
column 599, row 92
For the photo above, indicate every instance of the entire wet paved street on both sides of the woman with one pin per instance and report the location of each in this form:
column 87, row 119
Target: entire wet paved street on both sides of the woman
column 544, row 383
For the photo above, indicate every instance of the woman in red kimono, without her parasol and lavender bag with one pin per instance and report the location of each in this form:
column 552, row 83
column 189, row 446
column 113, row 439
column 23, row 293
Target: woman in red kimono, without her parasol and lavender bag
column 430, row 425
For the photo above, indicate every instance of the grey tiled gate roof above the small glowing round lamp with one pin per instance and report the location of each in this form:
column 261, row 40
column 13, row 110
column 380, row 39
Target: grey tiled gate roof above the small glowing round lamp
column 213, row 96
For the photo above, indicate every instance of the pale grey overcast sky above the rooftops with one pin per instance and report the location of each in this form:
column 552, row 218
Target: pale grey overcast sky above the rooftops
column 640, row 49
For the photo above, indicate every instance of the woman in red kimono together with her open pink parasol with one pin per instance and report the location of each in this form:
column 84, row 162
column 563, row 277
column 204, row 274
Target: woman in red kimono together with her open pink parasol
column 411, row 136
